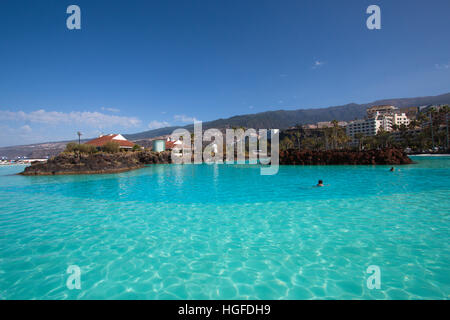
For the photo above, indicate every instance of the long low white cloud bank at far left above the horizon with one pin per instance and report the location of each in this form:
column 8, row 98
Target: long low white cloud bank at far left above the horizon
column 93, row 119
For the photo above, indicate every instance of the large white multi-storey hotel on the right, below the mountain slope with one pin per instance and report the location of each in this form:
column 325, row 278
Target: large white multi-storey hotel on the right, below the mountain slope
column 378, row 118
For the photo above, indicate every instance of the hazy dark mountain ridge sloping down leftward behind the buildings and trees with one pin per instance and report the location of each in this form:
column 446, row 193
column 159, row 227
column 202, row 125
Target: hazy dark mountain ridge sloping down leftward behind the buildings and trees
column 279, row 119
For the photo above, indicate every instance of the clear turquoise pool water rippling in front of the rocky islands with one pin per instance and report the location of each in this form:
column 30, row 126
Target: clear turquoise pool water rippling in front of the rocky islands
column 226, row 232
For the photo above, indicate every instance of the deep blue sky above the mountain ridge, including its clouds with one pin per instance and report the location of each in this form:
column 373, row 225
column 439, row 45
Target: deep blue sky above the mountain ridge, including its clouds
column 138, row 65
